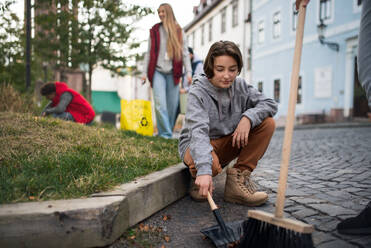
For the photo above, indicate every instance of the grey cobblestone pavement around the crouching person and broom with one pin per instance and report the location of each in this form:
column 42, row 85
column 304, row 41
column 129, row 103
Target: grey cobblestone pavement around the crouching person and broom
column 329, row 180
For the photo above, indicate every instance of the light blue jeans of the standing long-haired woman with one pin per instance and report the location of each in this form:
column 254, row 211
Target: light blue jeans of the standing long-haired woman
column 166, row 96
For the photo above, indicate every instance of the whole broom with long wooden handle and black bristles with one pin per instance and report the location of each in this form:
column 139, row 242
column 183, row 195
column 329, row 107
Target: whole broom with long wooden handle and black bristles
column 265, row 229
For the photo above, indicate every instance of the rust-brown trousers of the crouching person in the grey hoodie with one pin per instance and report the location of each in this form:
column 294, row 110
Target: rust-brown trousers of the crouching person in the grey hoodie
column 223, row 152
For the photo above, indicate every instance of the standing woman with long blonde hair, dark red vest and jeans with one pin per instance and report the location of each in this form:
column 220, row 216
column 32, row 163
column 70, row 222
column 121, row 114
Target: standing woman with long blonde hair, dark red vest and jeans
column 167, row 52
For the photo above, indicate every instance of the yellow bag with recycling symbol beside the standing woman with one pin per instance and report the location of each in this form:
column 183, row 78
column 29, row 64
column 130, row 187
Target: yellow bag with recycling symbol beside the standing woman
column 136, row 115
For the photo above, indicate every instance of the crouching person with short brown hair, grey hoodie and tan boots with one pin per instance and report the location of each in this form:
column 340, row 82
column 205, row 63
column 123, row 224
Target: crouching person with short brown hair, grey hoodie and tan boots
column 225, row 119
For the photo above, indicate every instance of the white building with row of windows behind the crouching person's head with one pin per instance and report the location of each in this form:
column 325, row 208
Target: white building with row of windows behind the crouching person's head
column 216, row 20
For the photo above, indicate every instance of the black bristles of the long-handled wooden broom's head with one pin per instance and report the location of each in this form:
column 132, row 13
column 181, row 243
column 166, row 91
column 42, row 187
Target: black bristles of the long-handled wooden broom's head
column 262, row 234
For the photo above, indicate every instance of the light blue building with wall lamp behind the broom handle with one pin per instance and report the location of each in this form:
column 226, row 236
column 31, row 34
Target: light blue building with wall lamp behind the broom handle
column 328, row 86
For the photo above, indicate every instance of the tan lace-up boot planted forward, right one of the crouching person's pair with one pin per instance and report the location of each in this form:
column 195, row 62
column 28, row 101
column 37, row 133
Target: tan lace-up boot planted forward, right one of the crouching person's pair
column 240, row 189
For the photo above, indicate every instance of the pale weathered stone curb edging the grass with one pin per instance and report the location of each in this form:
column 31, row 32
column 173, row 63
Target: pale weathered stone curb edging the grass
column 95, row 221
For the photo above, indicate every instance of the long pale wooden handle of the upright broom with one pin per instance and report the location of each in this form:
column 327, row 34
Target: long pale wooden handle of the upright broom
column 286, row 149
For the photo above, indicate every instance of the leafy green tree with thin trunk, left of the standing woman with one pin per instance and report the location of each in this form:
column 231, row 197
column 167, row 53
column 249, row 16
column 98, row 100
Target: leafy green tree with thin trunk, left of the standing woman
column 100, row 34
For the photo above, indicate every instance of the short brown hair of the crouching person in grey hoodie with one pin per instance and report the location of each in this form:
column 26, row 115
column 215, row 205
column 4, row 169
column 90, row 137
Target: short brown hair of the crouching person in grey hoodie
column 220, row 48
